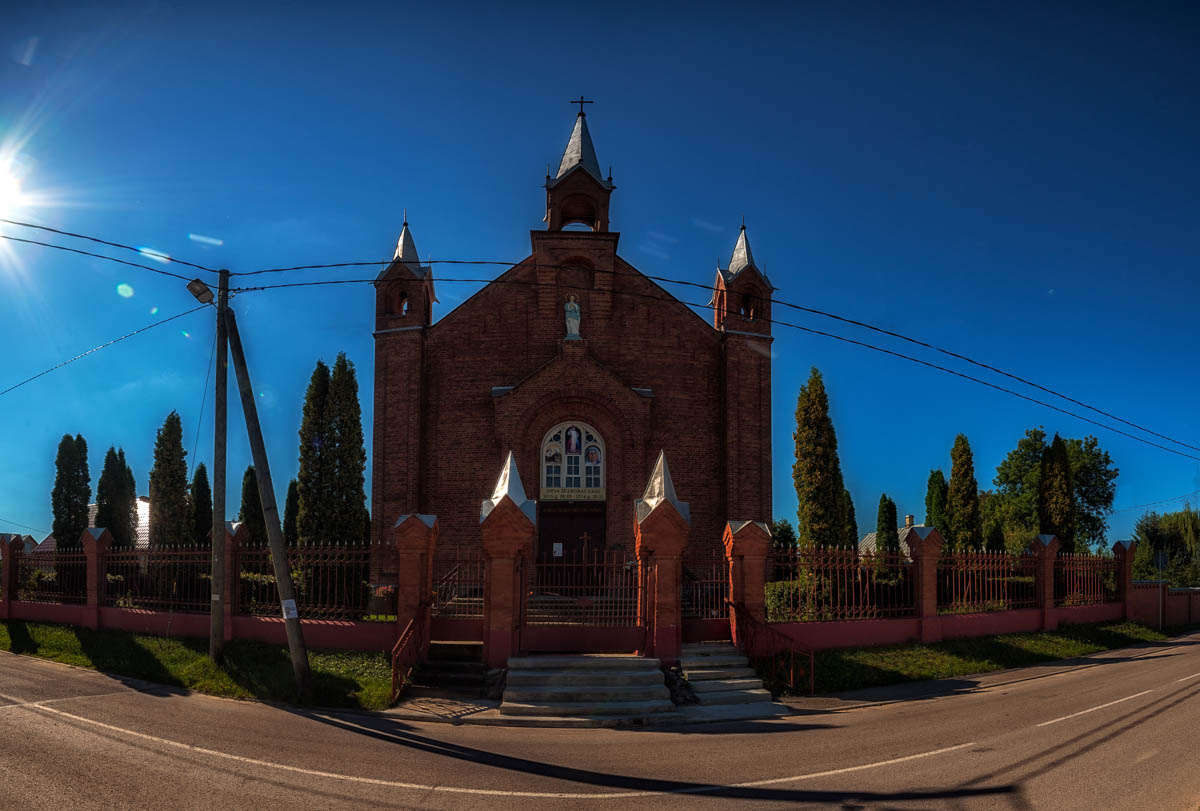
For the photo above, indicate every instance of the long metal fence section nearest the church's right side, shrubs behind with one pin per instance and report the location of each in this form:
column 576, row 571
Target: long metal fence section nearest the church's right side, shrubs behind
column 838, row 585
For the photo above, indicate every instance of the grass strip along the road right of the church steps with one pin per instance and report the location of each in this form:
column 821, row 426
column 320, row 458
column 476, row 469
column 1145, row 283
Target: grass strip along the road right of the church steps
column 853, row 669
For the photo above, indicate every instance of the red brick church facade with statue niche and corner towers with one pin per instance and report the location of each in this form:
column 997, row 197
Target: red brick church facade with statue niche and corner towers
column 496, row 374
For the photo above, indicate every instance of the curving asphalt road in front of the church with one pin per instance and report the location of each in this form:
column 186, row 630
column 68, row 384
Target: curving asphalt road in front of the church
column 1119, row 732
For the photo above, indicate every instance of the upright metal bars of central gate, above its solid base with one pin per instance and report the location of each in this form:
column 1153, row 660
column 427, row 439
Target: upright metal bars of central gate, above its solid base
column 596, row 588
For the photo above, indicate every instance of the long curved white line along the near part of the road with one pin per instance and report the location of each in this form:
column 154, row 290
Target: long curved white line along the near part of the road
column 489, row 792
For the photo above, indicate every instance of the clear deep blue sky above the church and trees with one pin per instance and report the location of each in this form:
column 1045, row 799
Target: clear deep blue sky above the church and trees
column 1017, row 183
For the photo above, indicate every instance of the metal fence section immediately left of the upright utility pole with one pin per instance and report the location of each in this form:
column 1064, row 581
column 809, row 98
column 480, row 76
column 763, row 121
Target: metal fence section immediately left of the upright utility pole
column 160, row 578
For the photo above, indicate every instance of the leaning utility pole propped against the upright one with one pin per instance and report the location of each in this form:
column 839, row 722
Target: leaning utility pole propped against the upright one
column 271, row 512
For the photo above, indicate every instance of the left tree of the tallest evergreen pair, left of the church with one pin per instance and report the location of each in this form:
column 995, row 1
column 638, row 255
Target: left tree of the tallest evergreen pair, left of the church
column 314, row 480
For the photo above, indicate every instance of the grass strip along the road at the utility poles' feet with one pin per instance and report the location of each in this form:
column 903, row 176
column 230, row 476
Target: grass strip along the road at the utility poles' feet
column 251, row 670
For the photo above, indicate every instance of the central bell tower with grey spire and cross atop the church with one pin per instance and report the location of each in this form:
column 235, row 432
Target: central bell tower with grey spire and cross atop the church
column 579, row 191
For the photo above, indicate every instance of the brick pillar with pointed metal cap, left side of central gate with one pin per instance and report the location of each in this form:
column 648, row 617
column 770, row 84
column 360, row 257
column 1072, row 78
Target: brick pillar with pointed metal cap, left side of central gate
column 508, row 524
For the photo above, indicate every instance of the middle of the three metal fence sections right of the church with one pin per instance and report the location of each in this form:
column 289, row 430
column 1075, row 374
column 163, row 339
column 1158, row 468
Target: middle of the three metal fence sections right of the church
column 970, row 582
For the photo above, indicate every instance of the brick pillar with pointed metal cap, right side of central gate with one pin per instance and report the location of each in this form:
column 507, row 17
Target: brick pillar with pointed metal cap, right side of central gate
column 661, row 532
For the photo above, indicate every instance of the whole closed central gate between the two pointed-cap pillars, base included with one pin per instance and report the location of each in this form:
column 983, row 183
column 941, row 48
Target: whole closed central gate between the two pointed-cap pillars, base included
column 584, row 602
